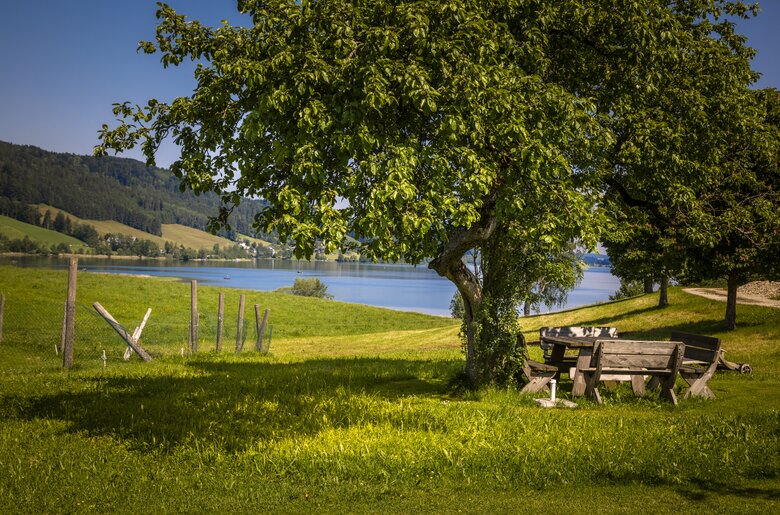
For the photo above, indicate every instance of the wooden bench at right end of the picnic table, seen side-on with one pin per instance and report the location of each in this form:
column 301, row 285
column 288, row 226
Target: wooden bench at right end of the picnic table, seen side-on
column 700, row 360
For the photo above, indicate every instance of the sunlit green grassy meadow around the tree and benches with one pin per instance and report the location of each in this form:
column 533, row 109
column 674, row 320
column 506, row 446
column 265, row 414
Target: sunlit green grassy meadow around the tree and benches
column 353, row 410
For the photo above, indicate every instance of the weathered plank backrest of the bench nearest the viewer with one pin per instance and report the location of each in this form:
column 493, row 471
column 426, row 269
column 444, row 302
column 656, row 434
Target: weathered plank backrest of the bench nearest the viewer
column 636, row 355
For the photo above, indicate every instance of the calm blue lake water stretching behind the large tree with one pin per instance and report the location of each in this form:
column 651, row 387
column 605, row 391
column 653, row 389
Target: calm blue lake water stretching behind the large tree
column 400, row 287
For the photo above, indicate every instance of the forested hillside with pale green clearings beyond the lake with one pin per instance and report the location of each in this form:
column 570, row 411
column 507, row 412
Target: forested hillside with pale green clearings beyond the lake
column 108, row 188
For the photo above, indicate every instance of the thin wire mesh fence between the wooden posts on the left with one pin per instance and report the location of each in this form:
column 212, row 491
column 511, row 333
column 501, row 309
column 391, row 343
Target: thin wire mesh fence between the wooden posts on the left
column 40, row 326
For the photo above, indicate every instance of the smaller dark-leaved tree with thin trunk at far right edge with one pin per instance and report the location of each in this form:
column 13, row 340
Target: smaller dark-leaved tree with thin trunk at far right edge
column 740, row 207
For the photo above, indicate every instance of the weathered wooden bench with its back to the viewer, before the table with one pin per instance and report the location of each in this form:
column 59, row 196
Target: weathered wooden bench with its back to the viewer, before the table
column 635, row 359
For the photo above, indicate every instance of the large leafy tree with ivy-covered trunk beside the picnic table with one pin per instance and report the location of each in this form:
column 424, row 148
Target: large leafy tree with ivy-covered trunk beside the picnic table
column 429, row 129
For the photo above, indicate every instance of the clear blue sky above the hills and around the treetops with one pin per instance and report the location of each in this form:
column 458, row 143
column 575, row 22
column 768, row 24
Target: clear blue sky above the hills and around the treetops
column 64, row 62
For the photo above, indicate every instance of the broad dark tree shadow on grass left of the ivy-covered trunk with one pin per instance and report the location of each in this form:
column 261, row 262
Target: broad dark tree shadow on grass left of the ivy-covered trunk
column 233, row 406
